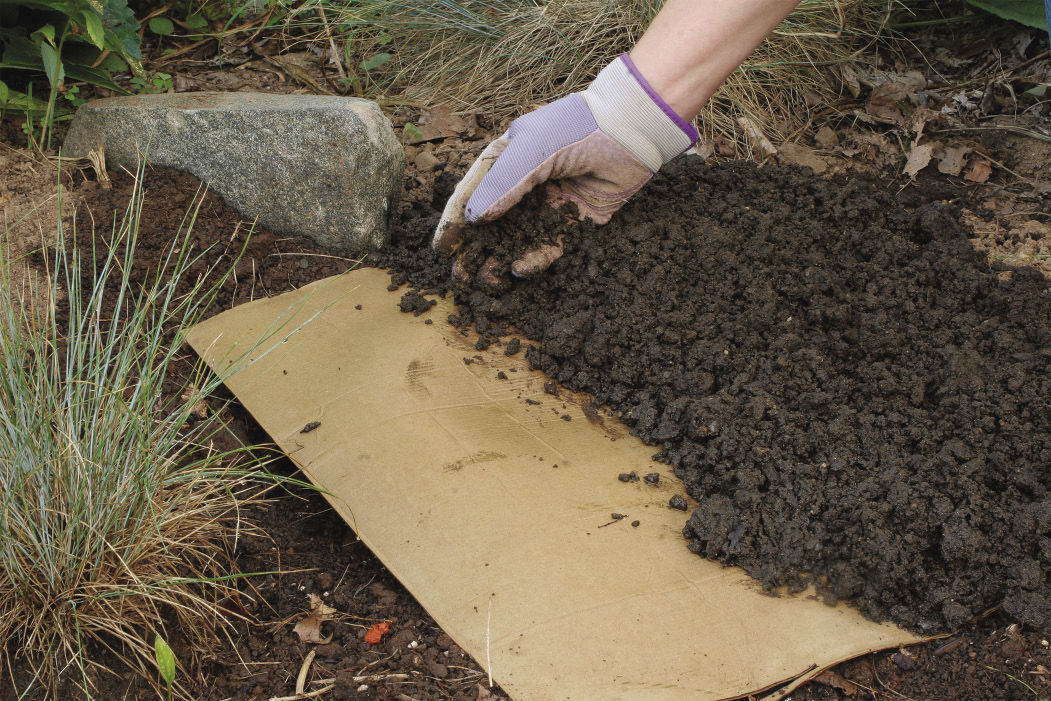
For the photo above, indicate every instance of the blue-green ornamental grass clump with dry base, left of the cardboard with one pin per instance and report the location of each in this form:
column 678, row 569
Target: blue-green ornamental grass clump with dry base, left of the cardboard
column 116, row 518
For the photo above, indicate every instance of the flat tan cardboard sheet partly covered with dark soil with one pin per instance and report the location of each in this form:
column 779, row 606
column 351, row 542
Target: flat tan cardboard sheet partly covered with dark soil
column 496, row 512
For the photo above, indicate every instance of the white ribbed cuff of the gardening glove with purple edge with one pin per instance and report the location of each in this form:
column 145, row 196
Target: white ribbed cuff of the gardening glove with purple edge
column 630, row 111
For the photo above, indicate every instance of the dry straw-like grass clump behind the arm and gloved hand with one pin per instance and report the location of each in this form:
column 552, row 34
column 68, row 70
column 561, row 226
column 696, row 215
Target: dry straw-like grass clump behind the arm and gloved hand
column 503, row 57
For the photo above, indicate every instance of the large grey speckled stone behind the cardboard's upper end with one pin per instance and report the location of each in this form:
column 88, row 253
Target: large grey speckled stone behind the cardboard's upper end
column 325, row 168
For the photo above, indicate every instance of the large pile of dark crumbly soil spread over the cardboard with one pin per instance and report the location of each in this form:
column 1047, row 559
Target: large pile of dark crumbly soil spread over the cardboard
column 851, row 393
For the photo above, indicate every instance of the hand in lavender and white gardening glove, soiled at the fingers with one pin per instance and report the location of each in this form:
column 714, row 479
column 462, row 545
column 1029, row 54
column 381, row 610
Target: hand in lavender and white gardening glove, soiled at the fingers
column 599, row 148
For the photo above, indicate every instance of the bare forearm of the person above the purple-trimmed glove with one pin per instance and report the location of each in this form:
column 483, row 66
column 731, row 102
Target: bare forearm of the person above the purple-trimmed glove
column 693, row 46
